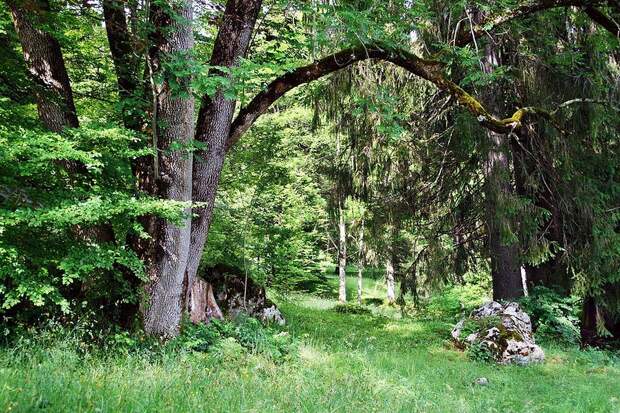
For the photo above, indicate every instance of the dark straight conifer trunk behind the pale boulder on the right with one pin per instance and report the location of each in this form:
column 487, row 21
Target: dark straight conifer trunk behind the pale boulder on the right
column 505, row 263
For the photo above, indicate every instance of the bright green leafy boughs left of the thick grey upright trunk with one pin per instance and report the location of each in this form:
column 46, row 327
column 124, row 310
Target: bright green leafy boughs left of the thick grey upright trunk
column 60, row 230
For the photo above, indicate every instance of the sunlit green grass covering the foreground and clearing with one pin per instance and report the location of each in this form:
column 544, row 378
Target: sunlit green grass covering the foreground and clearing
column 346, row 363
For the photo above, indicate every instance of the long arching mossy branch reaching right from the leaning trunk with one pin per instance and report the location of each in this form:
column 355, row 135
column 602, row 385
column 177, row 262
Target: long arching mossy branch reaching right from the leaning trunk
column 426, row 69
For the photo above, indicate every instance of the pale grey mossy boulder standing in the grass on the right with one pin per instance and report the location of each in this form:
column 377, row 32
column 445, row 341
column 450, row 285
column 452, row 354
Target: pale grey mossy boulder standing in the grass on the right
column 502, row 330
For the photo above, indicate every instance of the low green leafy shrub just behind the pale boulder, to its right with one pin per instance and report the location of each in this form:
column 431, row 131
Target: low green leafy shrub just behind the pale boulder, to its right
column 554, row 317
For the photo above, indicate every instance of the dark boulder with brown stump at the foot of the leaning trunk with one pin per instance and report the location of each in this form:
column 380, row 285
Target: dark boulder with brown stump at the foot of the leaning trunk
column 232, row 293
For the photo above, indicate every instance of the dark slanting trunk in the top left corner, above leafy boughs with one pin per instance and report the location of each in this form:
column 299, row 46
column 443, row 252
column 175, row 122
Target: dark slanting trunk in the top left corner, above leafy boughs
column 45, row 64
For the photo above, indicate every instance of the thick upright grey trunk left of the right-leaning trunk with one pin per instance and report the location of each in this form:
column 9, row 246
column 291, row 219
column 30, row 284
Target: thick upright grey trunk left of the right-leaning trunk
column 174, row 120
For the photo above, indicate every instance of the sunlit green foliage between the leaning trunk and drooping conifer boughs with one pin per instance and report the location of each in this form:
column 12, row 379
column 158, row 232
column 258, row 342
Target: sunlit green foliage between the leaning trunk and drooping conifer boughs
column 270, row 217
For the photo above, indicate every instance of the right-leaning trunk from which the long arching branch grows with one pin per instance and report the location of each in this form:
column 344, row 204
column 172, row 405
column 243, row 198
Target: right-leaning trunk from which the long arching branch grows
column 214, row 120
